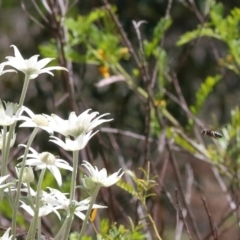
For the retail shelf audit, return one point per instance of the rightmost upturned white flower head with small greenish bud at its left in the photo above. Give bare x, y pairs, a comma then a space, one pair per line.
100, 177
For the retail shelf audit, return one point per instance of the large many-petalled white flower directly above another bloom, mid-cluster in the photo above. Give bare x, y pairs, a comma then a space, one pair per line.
77, 125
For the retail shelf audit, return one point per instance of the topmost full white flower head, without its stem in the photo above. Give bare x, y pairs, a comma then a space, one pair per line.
31, 67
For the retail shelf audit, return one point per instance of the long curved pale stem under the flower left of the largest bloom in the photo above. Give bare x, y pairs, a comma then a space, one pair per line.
15, 207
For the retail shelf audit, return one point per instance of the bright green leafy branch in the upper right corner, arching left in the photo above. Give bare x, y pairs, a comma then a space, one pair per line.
225, 29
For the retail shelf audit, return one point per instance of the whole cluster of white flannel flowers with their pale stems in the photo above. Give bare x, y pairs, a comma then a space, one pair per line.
77, 131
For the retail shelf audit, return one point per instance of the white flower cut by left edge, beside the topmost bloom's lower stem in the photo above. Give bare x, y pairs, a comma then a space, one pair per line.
7, 114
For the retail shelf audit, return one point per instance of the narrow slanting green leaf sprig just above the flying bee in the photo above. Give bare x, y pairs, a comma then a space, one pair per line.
203, 92
